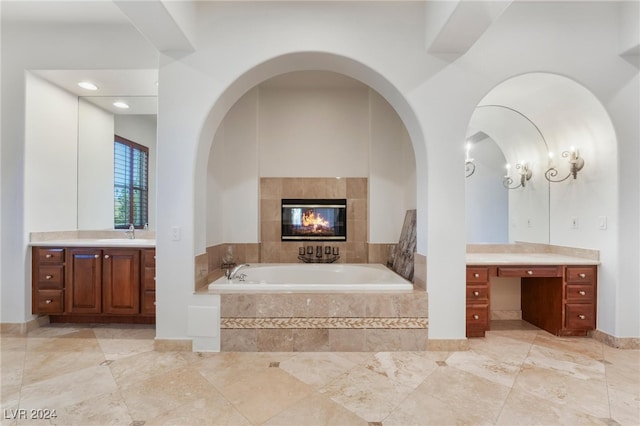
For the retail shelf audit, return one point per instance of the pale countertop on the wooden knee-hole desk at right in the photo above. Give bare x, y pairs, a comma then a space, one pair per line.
527, 259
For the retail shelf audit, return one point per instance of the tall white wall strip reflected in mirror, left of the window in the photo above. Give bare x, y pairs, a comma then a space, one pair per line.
95, 167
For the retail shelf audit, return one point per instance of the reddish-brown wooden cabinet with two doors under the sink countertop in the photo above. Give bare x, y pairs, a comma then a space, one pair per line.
94, 284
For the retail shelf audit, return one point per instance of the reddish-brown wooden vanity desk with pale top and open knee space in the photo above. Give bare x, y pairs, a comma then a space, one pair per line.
558, 292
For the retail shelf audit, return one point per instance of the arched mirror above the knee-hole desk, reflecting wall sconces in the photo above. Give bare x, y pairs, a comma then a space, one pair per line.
499, 135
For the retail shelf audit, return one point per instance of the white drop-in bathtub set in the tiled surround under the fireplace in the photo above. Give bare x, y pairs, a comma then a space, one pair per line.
304, 277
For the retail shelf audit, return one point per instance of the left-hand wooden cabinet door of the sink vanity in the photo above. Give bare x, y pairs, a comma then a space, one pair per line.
84, 281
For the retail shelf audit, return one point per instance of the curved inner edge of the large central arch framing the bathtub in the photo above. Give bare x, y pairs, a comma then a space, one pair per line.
303, 61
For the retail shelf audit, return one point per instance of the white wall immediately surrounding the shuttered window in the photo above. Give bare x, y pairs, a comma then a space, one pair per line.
141, 129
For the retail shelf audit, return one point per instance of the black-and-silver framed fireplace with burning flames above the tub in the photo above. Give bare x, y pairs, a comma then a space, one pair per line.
314, 219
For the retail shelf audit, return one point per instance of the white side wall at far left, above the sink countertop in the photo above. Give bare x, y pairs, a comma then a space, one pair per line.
51, 144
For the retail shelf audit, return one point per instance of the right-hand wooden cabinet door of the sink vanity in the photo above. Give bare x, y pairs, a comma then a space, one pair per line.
121, 281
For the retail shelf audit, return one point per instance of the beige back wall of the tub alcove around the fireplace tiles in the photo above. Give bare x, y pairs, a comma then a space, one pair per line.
308, 132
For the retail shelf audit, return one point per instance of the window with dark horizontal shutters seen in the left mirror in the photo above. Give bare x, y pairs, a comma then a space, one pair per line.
130, 183
